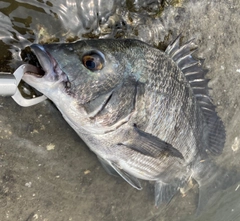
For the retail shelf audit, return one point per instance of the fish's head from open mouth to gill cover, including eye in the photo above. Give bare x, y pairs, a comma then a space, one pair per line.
90, 81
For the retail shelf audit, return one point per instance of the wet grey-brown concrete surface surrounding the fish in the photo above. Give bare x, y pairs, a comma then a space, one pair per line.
48, 173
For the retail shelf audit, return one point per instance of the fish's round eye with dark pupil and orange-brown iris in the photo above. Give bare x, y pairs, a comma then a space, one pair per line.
93, 61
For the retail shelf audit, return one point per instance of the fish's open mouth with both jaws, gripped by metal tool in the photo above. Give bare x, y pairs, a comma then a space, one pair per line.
53, 78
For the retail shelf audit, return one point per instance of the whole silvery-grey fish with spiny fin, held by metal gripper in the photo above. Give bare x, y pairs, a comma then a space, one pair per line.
146, 113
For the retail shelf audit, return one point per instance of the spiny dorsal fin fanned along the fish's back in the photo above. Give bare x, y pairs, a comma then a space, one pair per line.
195, 75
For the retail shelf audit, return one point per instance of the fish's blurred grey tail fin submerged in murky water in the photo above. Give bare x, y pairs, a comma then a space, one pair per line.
211, 180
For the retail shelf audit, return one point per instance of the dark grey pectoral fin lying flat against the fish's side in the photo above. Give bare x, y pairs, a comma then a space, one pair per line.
150, 145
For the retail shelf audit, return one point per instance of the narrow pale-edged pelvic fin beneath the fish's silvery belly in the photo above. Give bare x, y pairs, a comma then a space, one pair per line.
113, 169
